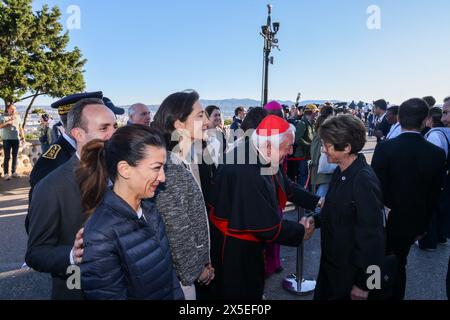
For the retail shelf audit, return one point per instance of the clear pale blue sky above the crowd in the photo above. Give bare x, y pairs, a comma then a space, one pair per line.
140, 50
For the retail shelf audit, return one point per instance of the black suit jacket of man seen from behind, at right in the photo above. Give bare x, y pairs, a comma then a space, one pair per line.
411, 171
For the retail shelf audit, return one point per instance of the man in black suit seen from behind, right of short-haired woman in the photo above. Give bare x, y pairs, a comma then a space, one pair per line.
411, 172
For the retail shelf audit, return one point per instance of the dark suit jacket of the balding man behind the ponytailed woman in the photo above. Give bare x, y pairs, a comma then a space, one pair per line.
55, 217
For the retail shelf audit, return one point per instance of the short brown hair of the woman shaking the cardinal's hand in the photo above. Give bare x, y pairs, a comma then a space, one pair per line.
342, 131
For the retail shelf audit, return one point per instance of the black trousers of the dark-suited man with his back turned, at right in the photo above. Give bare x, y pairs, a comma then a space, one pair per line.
400, 247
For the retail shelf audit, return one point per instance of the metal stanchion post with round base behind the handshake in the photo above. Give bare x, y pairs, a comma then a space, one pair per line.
295, 283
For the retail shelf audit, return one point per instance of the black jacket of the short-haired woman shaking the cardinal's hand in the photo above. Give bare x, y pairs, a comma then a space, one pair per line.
352, 234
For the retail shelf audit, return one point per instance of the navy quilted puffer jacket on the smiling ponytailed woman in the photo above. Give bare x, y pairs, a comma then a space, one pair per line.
126, 257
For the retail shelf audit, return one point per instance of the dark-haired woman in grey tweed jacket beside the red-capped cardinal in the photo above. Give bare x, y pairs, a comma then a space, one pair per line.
182, 120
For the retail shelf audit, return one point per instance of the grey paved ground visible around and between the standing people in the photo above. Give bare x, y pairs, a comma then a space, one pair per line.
426, 271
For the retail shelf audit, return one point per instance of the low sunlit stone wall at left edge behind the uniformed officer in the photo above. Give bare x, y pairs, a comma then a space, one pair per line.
28, 156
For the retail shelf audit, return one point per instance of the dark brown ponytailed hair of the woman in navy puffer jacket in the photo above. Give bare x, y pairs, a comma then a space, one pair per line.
99, 161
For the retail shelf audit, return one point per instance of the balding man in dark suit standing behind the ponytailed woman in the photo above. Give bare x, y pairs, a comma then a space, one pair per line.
55, 213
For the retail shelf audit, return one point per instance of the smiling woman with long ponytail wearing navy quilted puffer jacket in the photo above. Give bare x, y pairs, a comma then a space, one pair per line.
126, 251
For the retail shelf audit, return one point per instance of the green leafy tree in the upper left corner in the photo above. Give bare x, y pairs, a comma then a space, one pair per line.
33, 55
